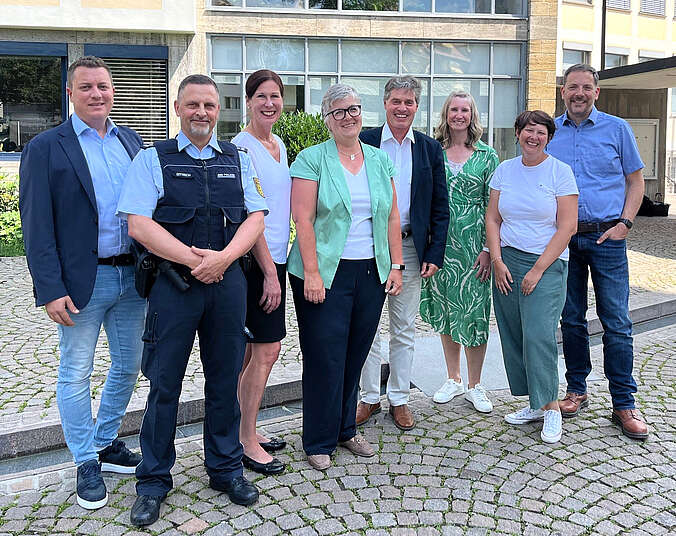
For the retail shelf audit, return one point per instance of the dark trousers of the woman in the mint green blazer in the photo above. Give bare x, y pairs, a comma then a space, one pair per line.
335, 338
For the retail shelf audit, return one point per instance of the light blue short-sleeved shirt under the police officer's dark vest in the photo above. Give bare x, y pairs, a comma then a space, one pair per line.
144, 184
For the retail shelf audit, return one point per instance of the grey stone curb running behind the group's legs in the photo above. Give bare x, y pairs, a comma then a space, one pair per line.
32, 440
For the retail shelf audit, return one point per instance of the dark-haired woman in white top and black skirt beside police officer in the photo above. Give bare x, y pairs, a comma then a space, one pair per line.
266, 278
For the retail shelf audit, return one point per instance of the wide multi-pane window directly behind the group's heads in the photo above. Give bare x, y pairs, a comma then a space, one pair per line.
491, 72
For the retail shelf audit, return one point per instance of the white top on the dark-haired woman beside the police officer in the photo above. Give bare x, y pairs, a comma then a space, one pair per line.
276, 184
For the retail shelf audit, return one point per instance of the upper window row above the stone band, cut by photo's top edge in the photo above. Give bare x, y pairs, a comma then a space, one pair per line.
499, 7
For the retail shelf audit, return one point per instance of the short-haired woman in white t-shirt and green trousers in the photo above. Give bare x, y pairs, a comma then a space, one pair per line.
531, 216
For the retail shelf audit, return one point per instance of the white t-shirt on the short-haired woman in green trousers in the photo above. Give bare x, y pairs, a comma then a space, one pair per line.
527, 201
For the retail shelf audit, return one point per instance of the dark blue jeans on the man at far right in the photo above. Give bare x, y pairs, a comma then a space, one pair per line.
609, 269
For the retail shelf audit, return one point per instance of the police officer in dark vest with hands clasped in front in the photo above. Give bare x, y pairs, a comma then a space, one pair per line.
193, 201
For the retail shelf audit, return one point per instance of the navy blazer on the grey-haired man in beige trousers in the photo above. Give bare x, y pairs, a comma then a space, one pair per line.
429, 195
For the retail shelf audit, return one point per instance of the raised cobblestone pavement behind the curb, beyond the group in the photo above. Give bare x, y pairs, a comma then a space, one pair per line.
29, 342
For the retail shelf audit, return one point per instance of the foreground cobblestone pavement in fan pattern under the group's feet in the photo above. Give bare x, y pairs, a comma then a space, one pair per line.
457, 472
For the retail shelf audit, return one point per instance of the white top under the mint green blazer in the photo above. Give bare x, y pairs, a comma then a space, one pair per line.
359, 243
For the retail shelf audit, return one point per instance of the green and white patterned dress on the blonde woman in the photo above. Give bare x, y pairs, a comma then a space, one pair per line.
453, 301
